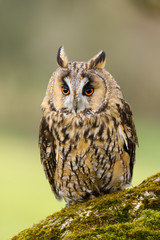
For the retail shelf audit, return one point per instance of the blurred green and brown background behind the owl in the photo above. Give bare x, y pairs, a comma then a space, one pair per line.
31, 33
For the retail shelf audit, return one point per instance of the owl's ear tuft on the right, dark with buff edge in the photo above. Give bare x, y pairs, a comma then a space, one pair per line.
98, 61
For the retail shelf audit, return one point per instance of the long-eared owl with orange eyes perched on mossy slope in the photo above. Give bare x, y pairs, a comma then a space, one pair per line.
87, 135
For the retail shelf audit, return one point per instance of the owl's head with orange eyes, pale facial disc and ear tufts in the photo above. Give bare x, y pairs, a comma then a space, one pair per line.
77, 87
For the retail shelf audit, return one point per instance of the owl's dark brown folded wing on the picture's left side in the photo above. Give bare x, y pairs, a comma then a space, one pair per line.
47, 153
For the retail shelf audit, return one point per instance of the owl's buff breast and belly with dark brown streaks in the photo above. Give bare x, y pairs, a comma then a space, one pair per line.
90, 160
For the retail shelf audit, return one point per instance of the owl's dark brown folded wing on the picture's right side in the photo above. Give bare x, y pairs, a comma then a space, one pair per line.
127, 127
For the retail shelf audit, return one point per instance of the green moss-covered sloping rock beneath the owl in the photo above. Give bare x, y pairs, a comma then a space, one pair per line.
130, 214
